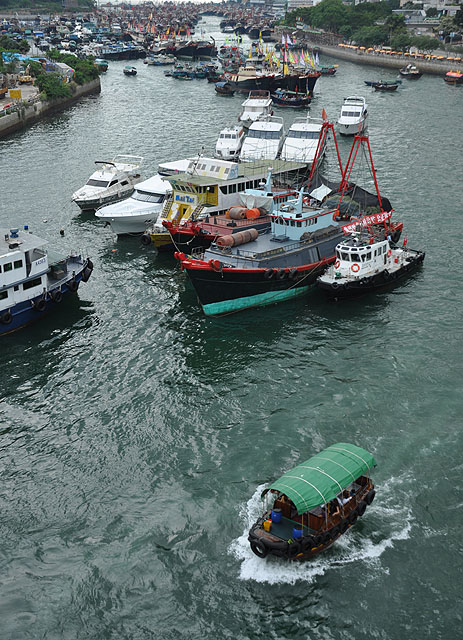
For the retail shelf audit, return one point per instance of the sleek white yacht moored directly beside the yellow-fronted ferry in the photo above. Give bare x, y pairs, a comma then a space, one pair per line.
139, 210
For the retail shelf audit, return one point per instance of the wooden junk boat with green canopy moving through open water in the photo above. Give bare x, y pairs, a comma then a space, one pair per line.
311, 506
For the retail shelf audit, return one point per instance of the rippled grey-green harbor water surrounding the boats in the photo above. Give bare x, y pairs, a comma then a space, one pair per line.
136, 434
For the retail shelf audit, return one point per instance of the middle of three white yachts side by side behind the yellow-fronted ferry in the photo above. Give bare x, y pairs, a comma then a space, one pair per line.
264, 140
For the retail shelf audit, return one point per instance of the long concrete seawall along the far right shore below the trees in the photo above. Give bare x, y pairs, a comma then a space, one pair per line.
434, 67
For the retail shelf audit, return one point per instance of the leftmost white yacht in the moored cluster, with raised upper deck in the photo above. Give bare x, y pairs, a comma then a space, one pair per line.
113, 181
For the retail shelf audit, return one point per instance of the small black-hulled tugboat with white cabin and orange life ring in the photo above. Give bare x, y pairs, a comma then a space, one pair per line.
366, 262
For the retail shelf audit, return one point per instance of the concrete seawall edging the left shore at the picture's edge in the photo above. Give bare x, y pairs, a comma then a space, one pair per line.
27, 115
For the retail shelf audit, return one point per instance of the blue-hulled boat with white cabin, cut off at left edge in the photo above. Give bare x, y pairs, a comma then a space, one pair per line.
32, 282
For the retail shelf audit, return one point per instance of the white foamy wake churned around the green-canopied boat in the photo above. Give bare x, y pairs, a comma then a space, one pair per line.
353, 547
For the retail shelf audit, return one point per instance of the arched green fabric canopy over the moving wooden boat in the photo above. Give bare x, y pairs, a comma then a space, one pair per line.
319, 479
